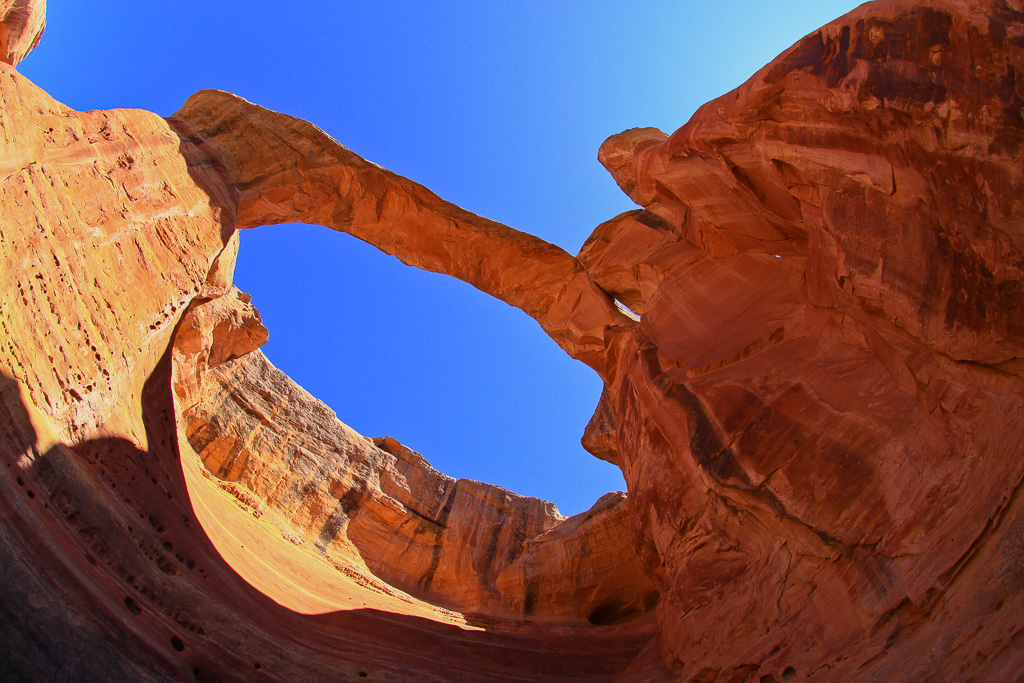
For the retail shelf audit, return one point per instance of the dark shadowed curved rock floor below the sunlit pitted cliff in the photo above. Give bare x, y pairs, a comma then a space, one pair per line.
109, 576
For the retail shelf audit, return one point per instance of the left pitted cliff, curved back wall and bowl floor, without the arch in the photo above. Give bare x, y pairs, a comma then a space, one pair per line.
124, 557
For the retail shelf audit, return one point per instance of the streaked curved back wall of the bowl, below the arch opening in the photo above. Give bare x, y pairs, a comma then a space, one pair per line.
379, 507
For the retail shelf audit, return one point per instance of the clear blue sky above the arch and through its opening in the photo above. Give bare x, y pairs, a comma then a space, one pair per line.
499, 107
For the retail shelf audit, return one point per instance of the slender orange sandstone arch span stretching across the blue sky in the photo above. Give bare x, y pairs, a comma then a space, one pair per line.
278, 169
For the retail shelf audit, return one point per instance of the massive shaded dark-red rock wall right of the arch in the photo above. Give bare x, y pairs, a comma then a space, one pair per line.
820, 415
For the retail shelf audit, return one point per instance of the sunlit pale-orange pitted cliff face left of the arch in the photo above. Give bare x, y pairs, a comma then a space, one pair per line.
107, 239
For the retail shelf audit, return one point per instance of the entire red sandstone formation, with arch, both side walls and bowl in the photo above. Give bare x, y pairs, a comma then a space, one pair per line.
818, 404
